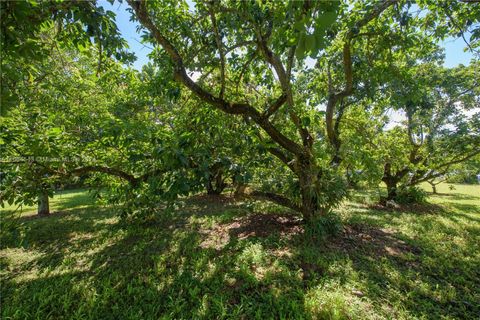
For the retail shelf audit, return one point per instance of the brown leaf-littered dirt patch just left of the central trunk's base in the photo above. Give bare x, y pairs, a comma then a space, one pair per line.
255, 225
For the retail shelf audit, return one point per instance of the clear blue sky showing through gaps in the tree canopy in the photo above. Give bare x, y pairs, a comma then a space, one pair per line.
454, 48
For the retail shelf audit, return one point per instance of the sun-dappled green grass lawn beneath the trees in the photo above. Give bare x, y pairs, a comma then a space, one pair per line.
217, 258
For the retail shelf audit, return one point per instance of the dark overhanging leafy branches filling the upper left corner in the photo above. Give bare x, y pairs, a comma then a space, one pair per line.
30, 29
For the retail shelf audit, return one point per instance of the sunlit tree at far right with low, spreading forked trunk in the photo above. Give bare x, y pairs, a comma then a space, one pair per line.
437, 134
